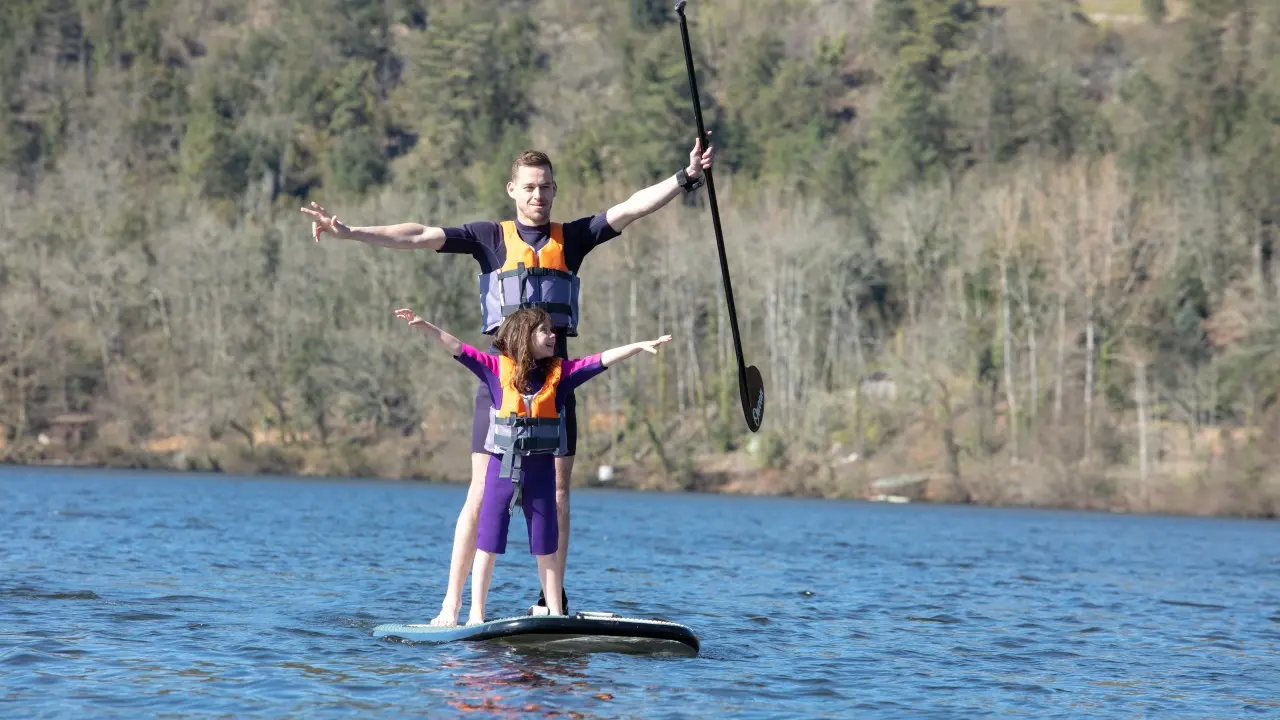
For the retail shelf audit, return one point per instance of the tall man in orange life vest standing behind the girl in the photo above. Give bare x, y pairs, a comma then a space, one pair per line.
506, 253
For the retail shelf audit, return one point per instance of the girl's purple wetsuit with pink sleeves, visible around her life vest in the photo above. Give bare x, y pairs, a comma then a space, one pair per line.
538, 496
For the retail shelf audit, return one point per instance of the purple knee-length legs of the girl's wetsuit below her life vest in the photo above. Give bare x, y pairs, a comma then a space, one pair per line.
538, 502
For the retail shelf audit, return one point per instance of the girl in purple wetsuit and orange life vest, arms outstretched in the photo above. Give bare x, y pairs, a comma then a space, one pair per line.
527, 431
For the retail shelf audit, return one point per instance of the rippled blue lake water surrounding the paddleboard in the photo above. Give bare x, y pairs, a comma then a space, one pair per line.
154, 595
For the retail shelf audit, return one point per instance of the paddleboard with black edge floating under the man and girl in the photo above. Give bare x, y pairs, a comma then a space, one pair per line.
587, 631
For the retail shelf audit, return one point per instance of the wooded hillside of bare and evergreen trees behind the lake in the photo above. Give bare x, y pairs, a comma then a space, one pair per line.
1025, 250
